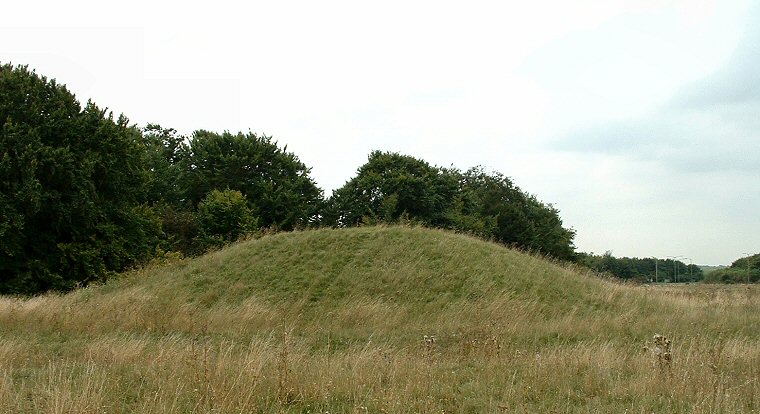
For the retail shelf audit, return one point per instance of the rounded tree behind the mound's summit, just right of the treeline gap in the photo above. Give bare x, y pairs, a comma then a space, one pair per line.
389, 186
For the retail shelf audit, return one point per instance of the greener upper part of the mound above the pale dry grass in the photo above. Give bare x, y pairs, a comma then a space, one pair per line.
402, 265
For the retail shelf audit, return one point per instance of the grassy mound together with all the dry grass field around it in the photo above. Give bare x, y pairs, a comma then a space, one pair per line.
379, 319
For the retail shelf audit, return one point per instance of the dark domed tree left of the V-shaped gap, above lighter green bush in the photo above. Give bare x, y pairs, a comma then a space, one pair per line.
275, 182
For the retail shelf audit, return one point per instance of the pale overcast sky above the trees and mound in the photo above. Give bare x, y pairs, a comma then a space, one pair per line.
639, 120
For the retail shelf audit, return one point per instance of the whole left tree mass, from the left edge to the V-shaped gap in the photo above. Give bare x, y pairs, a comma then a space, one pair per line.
83, 195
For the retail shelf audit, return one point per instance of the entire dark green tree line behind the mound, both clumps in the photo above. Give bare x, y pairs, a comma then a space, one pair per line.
84, 195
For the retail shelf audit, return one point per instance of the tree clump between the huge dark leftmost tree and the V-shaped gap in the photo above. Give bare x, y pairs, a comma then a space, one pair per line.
189, 175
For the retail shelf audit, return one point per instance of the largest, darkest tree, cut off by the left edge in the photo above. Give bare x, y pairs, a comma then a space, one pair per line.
72, 184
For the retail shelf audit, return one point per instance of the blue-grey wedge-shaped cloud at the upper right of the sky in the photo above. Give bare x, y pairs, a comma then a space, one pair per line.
709, 125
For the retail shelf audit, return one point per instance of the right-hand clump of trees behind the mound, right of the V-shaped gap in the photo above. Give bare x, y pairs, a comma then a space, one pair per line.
391, 186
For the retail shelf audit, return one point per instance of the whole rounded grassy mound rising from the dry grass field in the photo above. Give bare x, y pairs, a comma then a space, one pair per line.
361, 281
